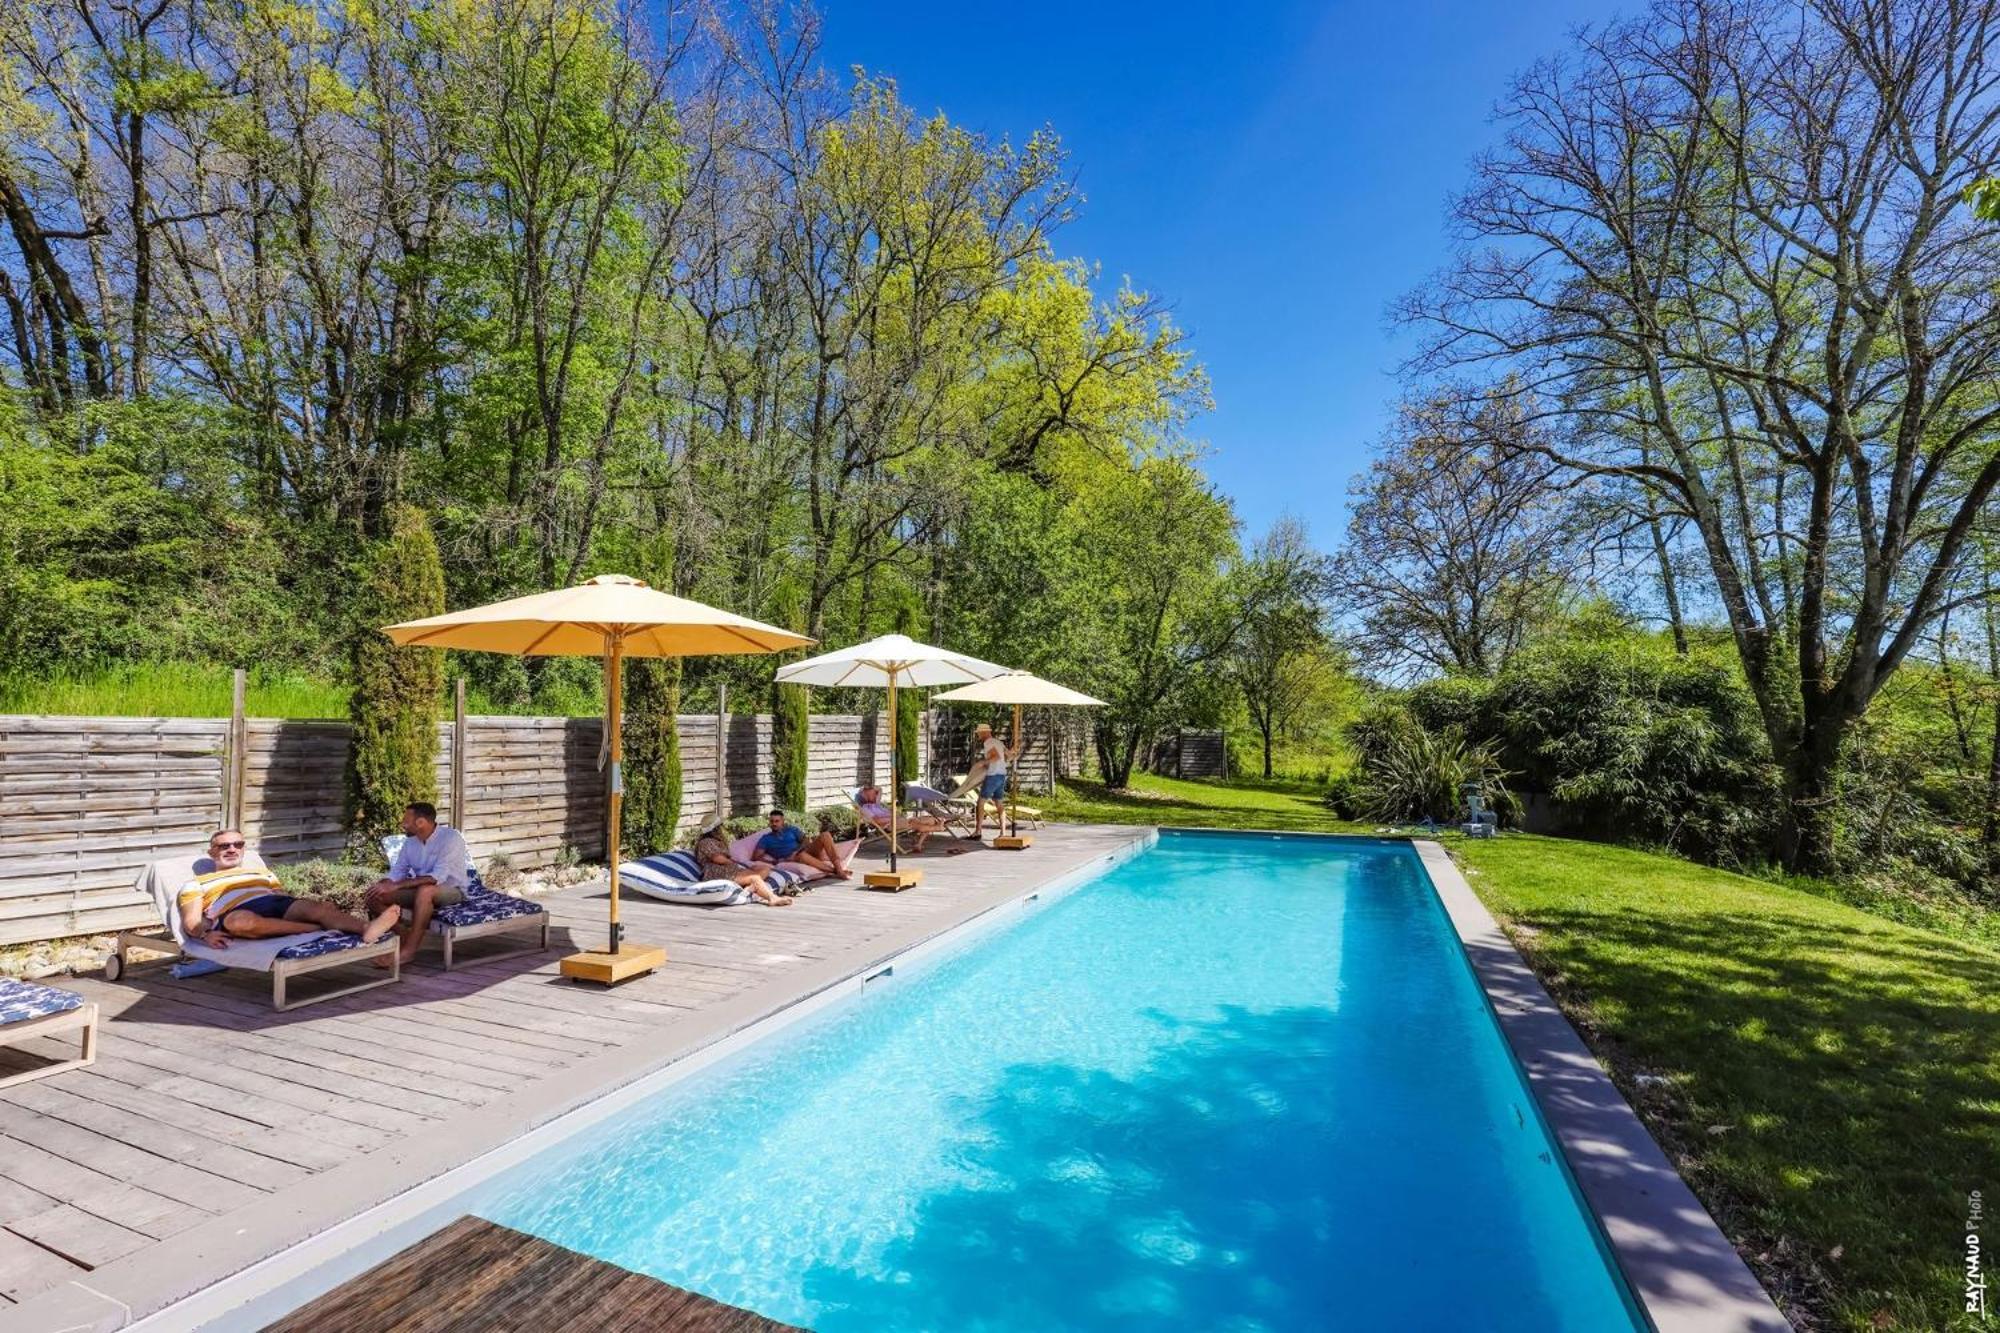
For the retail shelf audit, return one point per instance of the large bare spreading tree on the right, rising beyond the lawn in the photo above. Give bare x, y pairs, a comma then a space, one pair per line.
1735, 231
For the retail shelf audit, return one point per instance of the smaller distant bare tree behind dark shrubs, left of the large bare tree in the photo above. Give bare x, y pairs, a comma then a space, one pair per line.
1461, 541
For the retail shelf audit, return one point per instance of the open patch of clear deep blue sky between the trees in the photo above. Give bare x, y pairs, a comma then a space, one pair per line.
1277, 171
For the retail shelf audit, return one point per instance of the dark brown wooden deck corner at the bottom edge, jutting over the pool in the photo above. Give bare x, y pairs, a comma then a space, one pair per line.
483, 1276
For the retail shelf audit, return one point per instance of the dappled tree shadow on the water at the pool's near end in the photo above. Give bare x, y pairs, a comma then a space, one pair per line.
1229, 1186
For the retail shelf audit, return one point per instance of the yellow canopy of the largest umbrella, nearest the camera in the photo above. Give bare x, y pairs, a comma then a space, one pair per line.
583, 619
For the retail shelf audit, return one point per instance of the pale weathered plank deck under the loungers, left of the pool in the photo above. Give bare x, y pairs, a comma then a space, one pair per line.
215, 1132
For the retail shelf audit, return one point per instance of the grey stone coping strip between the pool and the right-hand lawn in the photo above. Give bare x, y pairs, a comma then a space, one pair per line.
1683, 1272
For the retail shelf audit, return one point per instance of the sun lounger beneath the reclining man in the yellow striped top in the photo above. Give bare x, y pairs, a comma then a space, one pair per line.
285, 958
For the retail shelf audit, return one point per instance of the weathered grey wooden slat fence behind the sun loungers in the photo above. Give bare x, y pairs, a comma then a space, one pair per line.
89, 802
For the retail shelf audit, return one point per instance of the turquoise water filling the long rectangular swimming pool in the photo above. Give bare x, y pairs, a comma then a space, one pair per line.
1237, 1084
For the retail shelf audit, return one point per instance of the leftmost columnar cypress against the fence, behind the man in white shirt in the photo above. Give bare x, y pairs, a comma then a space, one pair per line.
393, 758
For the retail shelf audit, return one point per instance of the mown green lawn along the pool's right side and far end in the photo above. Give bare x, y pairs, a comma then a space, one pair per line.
1829, 1082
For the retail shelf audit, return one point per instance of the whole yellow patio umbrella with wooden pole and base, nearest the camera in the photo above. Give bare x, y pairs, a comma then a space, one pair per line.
613, 617
